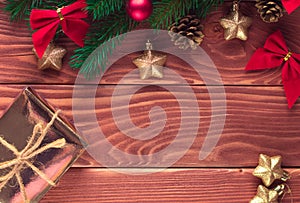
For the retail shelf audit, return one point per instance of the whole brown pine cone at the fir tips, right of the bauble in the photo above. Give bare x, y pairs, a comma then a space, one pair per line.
187, 32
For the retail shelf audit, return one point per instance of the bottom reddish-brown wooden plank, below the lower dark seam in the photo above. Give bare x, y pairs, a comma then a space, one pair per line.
172, 185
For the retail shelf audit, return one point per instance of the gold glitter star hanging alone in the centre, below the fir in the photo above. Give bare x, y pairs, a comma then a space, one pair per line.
150, 64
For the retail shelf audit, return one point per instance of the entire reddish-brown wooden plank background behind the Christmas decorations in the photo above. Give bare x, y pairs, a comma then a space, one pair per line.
257, 121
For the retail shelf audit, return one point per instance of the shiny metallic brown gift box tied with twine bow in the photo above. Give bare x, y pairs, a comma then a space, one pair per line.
37, 146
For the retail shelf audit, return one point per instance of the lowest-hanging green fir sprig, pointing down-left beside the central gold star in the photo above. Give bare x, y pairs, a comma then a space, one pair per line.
99, 33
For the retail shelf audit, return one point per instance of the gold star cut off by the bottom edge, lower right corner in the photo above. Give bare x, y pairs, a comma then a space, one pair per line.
264, 195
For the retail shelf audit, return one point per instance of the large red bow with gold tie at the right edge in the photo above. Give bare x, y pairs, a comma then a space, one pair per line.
275, 53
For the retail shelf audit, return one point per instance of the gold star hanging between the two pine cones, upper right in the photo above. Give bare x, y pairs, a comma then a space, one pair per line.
235, 24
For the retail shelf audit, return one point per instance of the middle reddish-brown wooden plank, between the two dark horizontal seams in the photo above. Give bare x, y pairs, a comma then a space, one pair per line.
257, 121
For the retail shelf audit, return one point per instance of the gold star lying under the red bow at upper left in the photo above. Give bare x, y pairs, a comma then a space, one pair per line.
52, 57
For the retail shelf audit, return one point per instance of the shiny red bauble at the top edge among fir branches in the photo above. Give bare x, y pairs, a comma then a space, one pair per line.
139, 10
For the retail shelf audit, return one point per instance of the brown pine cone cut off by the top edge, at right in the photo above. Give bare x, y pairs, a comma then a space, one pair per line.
270, 10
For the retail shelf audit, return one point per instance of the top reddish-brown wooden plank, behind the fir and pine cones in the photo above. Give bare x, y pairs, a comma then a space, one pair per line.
18, 64
